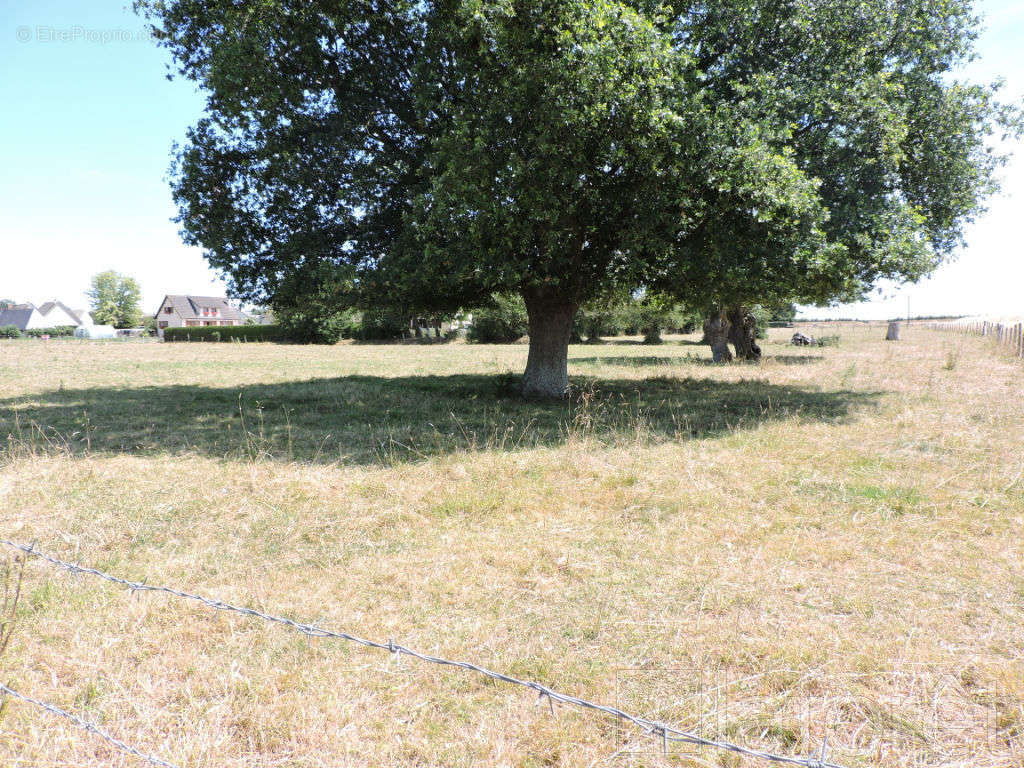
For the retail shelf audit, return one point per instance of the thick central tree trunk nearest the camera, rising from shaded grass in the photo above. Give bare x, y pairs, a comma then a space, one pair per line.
550, 329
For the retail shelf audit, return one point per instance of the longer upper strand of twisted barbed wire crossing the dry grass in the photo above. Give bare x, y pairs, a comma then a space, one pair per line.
666, 733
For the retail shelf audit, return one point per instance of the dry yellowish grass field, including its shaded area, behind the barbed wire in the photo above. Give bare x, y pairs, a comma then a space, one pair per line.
831, 541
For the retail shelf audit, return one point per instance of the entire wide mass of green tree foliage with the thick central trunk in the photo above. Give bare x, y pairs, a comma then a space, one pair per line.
432, 154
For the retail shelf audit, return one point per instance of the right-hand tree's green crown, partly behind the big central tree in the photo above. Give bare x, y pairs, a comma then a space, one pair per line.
862, 97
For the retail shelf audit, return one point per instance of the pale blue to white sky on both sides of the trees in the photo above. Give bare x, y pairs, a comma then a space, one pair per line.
90, 119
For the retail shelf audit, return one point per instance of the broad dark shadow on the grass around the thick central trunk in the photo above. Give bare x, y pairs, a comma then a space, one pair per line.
370, 419
